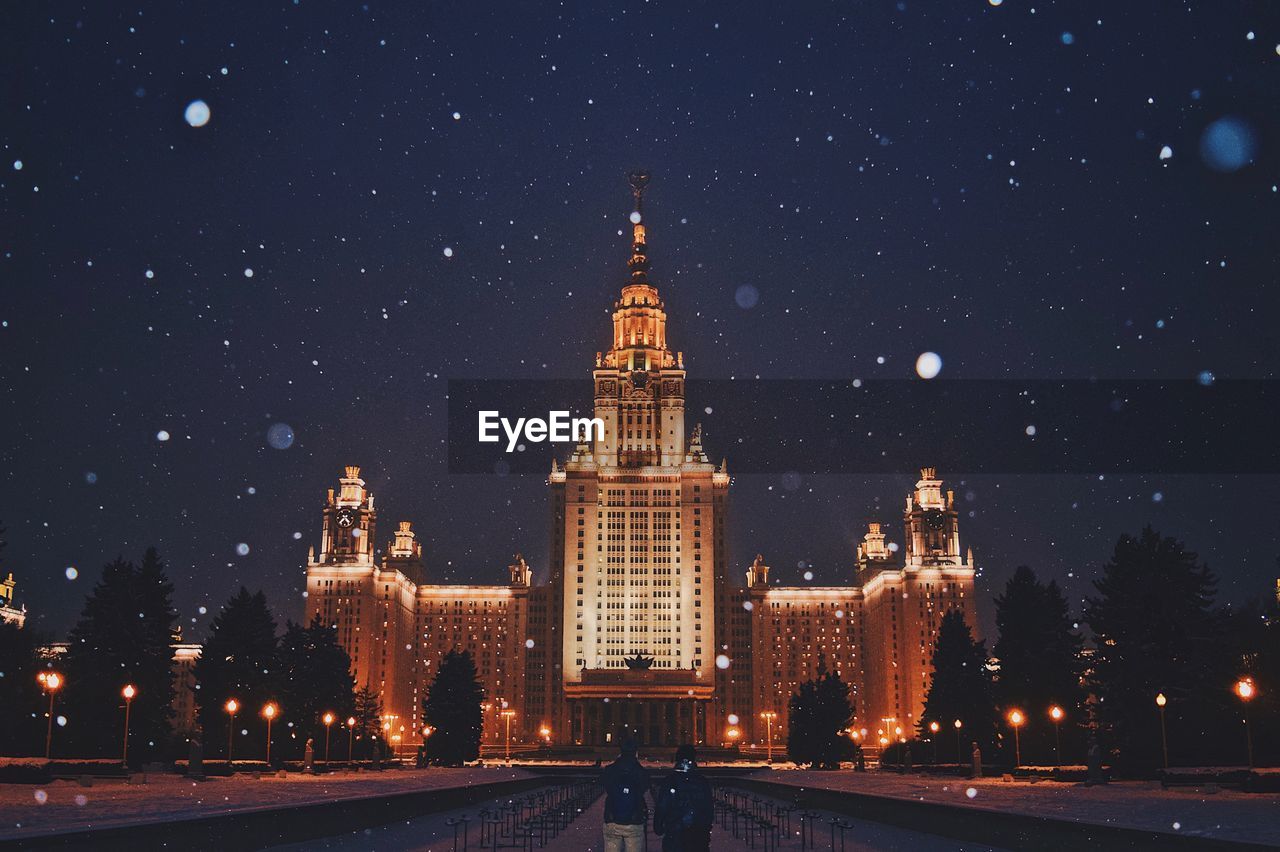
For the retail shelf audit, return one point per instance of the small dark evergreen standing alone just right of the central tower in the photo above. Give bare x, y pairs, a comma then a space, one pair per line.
820, 713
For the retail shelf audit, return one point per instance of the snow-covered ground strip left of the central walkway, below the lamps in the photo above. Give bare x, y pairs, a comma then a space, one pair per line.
62, 807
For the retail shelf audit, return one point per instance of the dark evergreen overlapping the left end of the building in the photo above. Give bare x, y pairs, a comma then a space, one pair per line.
316, 679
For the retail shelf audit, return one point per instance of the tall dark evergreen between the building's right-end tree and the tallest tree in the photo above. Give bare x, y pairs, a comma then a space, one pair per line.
1040, 665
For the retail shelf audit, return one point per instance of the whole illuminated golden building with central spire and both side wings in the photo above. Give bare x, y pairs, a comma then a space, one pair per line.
642, 629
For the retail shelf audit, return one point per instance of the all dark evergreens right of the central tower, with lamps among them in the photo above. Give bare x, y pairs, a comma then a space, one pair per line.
1153, 627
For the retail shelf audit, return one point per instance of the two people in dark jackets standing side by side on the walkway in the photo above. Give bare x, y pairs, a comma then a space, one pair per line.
683, 808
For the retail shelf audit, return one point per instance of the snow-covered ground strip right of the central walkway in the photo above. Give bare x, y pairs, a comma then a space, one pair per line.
1204, 812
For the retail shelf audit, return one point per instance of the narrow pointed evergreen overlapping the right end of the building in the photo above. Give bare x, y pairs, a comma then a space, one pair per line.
961, 689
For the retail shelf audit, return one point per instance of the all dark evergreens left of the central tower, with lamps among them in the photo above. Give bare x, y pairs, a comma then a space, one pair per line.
125, 636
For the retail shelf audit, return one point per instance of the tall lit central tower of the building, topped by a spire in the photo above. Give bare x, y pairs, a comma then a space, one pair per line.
639, 537
